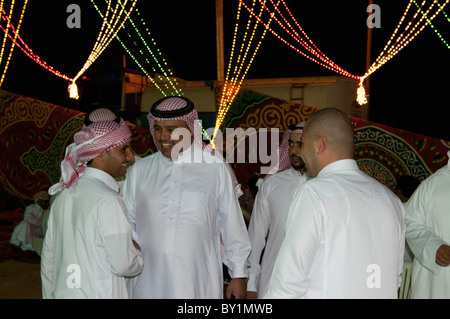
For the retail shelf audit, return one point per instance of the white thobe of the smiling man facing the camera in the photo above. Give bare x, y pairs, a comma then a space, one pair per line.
179, 210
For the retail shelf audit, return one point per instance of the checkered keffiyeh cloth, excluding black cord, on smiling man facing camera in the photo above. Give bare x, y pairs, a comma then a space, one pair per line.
191, 119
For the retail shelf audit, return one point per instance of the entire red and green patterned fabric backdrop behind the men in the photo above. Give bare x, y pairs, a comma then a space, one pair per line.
34, 135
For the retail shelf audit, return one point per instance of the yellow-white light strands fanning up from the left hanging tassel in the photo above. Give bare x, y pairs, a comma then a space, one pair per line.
103, 40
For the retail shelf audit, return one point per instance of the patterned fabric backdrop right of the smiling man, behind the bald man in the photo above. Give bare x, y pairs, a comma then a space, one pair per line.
383, 152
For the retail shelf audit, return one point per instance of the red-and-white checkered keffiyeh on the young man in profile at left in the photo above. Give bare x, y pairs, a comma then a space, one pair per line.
102, 135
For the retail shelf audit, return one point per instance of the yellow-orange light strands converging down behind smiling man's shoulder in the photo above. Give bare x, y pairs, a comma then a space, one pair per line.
231, 87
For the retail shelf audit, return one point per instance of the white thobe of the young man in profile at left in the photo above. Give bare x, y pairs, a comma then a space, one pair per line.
87, 248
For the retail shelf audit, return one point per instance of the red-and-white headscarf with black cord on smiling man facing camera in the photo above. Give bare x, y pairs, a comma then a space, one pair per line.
180, 108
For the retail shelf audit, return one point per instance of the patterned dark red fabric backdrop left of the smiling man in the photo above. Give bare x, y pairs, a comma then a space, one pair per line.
33, 138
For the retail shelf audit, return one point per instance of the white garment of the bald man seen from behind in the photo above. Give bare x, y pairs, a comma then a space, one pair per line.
345, 237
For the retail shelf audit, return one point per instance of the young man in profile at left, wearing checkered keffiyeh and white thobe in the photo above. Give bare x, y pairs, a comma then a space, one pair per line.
88, 249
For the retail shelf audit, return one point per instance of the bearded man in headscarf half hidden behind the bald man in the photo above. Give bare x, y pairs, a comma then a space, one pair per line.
268, 219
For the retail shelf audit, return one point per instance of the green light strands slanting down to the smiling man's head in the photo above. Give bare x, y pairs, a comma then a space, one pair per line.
173, 82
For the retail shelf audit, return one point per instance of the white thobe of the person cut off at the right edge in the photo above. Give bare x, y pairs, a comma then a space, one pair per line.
427, 228
